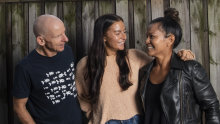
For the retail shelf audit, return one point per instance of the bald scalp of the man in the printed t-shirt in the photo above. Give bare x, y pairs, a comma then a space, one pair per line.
43, 23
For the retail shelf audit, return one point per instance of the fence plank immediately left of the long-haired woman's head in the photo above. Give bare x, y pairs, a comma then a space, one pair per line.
88, 19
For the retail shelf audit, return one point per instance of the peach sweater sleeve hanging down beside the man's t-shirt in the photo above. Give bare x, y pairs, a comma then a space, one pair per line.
82, 86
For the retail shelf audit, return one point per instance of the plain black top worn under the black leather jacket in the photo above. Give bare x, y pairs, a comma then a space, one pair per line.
154, 113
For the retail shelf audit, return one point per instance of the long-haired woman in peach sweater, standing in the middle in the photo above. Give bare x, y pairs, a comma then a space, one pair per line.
107, 79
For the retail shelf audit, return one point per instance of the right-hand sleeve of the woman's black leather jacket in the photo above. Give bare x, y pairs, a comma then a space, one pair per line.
206, 95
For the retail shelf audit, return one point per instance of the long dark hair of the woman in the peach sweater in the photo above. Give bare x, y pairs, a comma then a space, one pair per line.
97, 59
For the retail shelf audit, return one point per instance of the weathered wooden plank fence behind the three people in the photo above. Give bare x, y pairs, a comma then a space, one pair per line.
200, 20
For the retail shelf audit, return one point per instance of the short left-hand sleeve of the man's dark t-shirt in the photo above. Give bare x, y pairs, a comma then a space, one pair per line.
21, 84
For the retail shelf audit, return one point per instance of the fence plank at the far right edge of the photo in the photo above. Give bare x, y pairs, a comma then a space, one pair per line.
214, 43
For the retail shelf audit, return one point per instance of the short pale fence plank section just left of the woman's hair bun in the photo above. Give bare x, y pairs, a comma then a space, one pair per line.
157, 8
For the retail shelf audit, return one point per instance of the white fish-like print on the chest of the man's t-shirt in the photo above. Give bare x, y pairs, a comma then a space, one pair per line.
60, 85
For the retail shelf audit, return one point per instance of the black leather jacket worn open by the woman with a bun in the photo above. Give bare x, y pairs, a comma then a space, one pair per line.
186, 92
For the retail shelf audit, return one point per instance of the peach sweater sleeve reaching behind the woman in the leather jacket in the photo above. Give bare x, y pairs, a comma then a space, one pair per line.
140, 57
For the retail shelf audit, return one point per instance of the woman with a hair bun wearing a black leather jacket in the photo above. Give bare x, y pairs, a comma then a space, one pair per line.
174, 91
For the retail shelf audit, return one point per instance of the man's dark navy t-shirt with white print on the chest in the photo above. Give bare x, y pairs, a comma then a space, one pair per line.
49, 85
